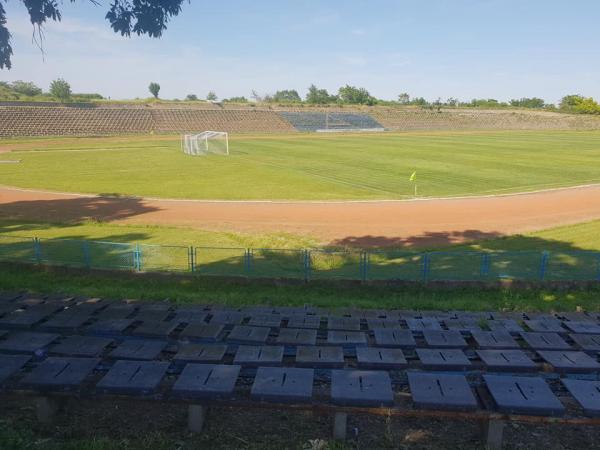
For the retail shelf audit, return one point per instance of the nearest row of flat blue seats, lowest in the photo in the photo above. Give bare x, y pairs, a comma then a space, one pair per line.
439, 391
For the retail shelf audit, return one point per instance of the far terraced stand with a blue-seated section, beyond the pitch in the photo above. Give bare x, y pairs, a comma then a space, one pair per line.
90, 119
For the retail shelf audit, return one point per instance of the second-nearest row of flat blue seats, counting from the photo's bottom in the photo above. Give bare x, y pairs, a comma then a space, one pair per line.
300, 355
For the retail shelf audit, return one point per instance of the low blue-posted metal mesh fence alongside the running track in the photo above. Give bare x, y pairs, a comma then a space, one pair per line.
307, 264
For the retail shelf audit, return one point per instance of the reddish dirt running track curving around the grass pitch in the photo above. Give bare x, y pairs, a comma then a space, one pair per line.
391, 223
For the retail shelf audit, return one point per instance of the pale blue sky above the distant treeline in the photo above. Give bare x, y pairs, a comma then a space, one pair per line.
432, 48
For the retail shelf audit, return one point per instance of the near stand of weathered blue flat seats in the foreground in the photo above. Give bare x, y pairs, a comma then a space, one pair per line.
203, 356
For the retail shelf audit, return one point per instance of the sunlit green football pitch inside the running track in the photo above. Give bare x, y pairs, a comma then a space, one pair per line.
309, 167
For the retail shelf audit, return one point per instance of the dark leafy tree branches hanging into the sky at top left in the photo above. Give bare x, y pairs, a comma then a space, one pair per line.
142, 17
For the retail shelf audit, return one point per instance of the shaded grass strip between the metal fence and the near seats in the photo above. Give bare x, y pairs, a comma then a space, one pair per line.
235, 293
